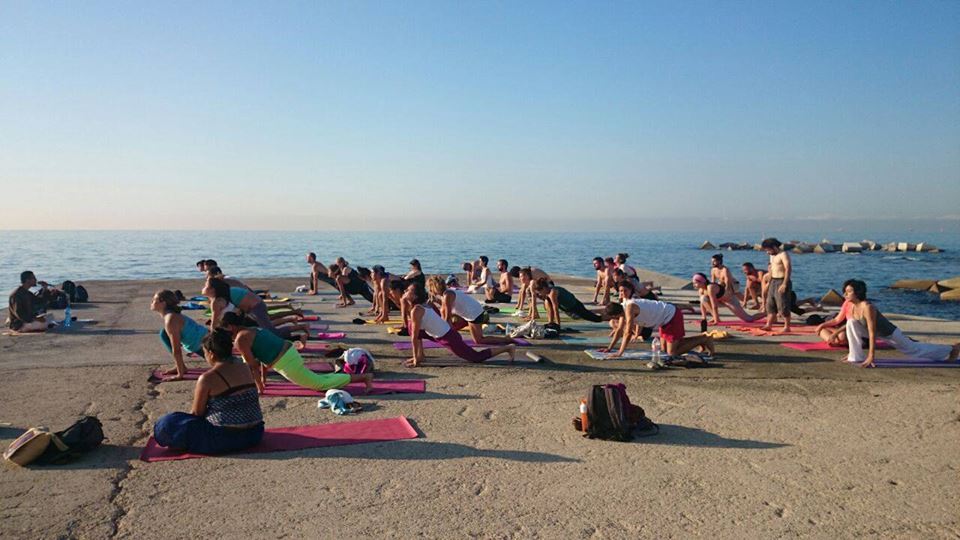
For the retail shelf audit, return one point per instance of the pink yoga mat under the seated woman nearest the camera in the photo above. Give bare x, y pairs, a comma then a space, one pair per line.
302, 437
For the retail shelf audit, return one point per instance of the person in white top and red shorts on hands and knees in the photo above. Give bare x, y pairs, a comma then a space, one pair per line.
652, 313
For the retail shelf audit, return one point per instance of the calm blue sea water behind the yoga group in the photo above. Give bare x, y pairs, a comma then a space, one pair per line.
84, 255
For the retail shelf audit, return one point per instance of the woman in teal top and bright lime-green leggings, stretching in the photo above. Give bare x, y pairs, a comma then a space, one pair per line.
262, 350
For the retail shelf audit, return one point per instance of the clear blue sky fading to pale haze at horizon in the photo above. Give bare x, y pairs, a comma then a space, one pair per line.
480, 115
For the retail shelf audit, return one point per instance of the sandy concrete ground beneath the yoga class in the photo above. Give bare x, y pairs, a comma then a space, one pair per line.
769, 443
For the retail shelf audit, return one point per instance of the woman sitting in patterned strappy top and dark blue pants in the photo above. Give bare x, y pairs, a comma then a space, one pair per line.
226, 415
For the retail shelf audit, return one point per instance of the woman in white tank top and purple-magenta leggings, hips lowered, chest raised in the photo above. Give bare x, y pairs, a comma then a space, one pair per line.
426, 323
